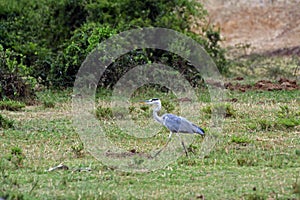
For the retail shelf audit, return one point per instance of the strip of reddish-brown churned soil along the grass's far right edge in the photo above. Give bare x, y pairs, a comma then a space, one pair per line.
264, 85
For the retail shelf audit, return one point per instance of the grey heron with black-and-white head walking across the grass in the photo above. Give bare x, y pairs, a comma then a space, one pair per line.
175, 124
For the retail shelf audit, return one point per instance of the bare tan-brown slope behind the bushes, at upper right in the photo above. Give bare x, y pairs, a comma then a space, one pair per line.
269, 27
